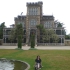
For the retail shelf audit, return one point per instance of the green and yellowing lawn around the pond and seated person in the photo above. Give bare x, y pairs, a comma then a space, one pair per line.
51, 59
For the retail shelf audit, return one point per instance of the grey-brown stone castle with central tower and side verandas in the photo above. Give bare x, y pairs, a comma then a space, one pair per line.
29, 21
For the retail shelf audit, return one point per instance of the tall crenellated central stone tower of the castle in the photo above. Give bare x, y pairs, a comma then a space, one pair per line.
33, 17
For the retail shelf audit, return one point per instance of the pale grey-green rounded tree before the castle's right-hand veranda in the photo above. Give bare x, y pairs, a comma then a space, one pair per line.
50, 35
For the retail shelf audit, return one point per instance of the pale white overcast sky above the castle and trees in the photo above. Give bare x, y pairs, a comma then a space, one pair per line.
60, 9
